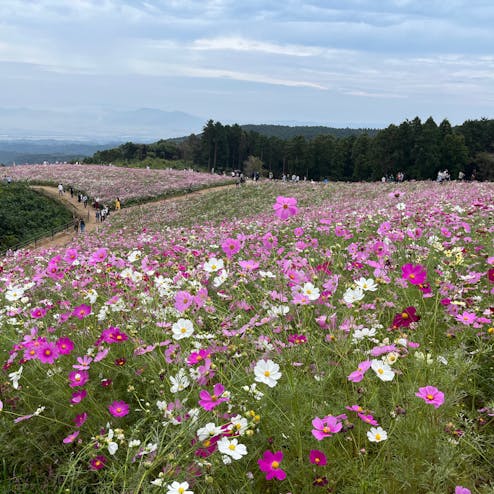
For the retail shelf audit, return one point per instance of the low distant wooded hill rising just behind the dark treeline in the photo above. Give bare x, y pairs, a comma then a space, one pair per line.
307, 131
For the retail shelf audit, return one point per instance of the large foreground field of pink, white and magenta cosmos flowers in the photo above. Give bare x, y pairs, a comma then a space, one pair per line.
278, 338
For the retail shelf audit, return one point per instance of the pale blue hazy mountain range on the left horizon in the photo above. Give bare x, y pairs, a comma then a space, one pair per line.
144, 124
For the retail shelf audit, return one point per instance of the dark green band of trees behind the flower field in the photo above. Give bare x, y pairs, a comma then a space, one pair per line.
417, 149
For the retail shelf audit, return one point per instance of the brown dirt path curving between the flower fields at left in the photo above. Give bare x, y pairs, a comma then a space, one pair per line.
65, 237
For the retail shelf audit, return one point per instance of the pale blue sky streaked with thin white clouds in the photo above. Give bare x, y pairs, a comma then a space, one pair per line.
351, 63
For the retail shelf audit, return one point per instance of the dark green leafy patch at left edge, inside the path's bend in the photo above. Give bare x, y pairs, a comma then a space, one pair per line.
25, 214
